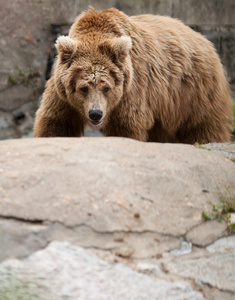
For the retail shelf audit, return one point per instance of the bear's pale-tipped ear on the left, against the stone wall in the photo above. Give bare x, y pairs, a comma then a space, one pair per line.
65, 47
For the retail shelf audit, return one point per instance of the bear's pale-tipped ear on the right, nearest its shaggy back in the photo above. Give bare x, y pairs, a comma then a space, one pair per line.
117, 48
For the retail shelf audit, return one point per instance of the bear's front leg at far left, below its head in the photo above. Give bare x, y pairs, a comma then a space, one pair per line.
57, 118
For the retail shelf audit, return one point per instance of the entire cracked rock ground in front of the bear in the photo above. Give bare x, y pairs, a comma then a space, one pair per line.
134, 203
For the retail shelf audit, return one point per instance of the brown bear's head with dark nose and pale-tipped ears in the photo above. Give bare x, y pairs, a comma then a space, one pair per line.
93, 75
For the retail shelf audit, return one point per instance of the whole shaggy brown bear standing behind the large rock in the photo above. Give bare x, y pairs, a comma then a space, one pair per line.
150, 78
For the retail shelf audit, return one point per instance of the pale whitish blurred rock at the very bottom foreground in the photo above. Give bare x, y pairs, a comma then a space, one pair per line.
63, 271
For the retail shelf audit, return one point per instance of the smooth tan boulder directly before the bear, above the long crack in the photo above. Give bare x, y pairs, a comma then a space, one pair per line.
123, 187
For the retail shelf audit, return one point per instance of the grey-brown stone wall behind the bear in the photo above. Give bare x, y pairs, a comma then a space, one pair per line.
28, 29
